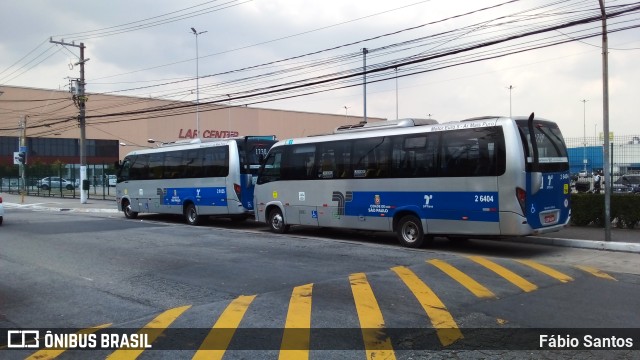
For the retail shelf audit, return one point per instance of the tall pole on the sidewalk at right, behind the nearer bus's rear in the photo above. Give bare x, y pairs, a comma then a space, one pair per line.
605, 125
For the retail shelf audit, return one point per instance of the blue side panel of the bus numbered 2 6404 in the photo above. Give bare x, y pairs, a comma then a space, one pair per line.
443, 205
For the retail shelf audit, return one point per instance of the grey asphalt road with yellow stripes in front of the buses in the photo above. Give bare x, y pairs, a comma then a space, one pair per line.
352, 294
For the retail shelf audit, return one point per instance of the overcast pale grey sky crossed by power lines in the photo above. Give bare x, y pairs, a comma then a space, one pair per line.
133, 46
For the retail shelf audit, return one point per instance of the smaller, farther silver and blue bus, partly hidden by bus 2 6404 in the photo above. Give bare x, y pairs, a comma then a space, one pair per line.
214, 177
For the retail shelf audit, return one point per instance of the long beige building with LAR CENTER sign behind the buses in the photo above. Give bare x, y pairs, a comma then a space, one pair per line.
131, 121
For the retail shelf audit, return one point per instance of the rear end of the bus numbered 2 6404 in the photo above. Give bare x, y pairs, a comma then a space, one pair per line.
548, 187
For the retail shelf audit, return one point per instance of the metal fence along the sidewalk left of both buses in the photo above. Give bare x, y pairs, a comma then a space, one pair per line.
60, 180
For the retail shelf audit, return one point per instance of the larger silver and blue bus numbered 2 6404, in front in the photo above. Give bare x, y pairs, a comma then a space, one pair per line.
482, 177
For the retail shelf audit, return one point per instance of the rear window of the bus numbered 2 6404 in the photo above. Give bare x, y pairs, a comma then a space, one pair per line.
552, 151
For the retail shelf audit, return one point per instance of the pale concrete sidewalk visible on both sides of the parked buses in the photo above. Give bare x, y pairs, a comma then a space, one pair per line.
626, 240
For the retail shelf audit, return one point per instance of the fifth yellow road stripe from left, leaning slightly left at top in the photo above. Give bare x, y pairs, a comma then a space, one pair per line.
377, 343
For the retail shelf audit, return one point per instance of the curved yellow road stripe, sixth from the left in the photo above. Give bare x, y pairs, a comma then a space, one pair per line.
446, 327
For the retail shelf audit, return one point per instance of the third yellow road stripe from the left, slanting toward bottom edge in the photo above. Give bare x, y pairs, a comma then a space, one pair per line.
218, 339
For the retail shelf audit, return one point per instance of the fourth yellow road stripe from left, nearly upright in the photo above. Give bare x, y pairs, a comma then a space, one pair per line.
297, 328
